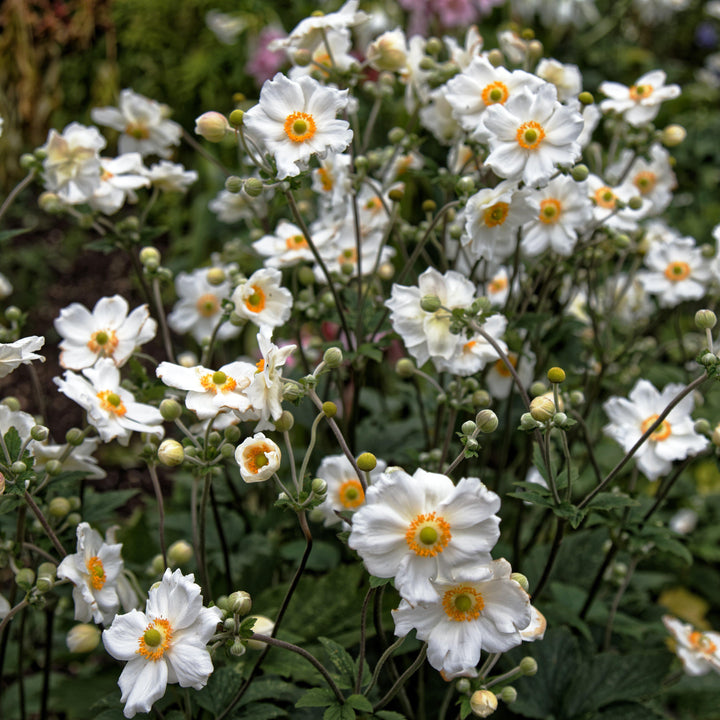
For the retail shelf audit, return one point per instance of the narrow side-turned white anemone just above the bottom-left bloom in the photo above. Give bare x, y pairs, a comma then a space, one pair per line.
94, 571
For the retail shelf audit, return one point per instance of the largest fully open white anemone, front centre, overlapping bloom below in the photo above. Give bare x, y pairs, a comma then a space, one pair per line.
421, 527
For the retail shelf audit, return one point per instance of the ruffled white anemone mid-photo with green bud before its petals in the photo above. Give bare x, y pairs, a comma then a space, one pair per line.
425, 334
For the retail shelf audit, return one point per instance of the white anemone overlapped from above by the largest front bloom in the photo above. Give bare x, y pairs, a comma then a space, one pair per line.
483, 609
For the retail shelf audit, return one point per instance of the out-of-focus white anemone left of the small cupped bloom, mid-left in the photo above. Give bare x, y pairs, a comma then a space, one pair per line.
199, 307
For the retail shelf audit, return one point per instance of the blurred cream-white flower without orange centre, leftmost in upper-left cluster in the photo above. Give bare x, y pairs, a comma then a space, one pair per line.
72, 164
